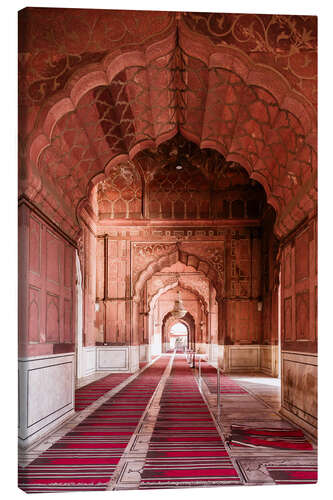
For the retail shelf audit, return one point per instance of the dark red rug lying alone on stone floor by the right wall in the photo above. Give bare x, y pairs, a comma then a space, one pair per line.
285, 439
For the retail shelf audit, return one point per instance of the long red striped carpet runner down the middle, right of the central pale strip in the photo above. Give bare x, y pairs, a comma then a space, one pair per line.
185, 448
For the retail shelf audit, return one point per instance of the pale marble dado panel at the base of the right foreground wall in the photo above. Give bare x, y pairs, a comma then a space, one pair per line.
299, 389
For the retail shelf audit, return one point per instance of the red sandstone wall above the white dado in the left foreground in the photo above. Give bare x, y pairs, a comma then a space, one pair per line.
46, 287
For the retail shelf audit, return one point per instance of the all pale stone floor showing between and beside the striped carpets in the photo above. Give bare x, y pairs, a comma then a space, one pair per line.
258, 407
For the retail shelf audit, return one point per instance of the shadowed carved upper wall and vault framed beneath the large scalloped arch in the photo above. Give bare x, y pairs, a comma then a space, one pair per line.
178, 180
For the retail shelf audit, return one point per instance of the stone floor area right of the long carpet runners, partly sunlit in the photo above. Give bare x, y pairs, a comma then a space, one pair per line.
259, 408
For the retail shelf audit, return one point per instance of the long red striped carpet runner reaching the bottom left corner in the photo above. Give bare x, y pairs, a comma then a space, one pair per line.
86, 457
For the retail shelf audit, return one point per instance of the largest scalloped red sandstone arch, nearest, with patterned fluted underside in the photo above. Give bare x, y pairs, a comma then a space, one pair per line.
244, 110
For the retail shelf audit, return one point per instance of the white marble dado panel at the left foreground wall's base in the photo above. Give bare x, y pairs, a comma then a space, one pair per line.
46, 395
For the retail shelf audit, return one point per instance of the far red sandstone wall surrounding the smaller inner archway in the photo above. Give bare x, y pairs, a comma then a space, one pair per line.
236, 259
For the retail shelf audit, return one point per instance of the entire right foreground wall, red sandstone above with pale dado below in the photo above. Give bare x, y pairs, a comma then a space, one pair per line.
299, 326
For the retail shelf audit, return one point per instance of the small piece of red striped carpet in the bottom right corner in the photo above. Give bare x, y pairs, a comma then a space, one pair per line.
293, 474
